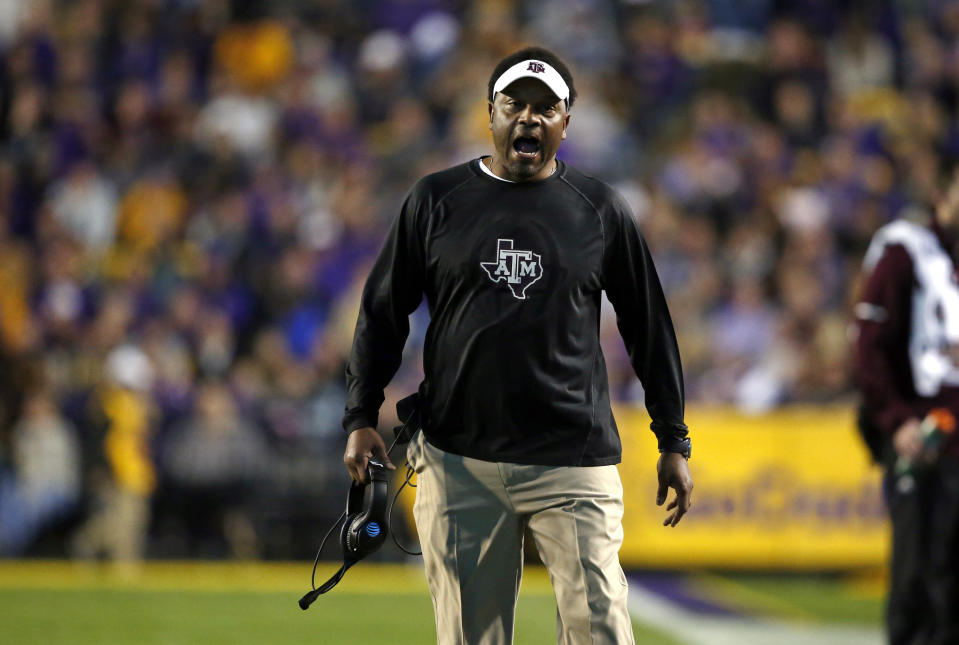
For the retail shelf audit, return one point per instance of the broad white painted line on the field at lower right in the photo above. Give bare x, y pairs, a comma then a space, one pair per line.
695, 629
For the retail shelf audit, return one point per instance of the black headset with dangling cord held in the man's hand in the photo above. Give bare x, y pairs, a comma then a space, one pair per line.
368, 513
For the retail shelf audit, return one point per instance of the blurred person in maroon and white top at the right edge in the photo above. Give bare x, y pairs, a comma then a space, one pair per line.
908, 373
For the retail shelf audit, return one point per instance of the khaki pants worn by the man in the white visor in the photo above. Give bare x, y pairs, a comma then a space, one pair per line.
471, 516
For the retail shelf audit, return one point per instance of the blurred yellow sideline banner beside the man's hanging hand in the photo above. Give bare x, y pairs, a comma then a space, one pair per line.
793, 489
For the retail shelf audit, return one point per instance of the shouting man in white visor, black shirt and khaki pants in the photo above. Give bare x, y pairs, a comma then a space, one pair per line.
512, 252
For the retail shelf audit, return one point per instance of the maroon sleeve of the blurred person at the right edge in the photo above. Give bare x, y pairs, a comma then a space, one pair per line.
883, 316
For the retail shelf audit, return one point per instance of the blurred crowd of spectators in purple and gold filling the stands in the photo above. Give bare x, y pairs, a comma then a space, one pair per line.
191, 192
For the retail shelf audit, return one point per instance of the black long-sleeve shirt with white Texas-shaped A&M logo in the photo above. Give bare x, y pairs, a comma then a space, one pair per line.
513, 274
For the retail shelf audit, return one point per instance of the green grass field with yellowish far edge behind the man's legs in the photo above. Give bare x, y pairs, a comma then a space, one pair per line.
239, 604
